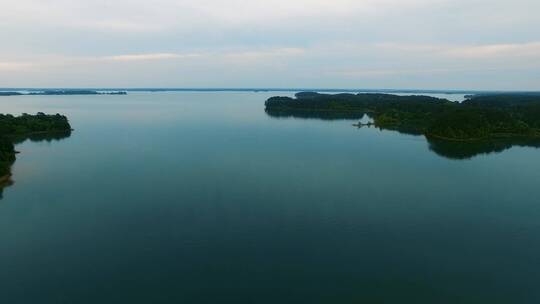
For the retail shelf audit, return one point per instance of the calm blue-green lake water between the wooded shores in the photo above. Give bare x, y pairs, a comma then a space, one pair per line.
190, 197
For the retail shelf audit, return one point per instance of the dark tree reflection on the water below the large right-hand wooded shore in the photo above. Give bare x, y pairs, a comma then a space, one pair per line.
449, 149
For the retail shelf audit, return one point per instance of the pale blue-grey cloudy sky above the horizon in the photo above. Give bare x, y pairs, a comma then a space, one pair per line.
399, 44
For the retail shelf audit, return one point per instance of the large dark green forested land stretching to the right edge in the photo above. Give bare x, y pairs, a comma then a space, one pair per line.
478, 118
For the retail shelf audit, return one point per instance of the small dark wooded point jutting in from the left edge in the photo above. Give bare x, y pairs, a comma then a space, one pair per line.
14, 129
